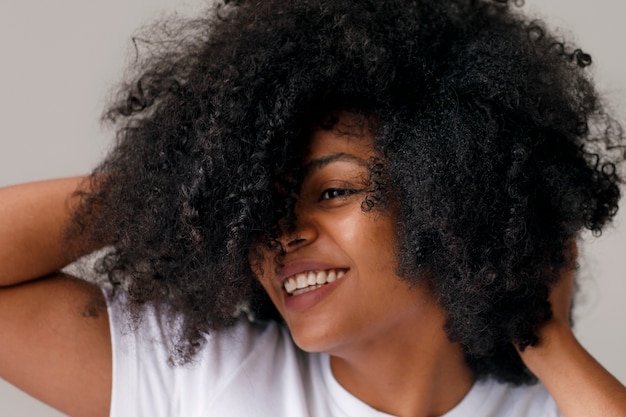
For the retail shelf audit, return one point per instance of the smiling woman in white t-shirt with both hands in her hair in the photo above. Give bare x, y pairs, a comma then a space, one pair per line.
390, 192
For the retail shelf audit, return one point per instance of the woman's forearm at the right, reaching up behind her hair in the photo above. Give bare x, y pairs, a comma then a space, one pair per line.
577, 382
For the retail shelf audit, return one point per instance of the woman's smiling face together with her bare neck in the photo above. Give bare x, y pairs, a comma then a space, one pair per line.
365, 312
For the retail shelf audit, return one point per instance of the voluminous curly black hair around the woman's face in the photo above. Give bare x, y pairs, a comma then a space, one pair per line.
492, 140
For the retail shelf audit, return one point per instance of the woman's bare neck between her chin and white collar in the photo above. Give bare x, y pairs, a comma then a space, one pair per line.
421, 374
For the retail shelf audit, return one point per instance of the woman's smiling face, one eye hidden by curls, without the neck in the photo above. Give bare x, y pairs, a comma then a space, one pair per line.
338, 288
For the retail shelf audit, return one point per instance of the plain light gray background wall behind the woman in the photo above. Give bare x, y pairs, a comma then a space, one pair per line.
59, 60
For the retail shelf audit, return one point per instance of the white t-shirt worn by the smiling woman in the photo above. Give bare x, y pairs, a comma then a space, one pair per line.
256, 370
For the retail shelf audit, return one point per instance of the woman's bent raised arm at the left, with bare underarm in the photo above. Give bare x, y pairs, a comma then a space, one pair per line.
55, 342
